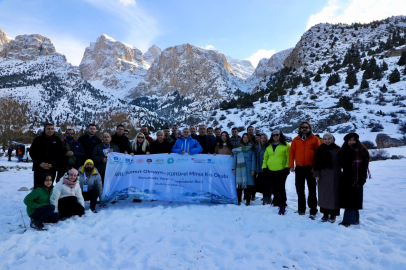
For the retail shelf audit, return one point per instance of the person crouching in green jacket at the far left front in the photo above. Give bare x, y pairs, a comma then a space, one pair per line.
39, 207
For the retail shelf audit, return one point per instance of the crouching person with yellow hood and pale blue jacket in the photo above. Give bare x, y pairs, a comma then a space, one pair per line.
90, 184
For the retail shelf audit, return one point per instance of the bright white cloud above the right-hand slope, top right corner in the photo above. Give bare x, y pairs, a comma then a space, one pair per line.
363, 11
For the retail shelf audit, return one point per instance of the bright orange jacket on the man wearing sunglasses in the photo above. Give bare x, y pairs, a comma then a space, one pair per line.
302, 151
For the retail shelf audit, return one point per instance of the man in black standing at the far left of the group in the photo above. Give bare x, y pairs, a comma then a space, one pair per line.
46, 152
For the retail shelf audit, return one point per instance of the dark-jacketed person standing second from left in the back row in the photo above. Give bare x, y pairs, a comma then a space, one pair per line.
72, 152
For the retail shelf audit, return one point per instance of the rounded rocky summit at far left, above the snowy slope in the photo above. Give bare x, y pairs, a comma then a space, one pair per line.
27, 47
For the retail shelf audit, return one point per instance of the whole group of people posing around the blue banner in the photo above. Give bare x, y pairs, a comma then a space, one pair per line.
260, 164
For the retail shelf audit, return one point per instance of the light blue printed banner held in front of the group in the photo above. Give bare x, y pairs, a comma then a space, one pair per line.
170, 177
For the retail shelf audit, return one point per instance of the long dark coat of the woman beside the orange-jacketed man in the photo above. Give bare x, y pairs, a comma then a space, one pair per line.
329, 178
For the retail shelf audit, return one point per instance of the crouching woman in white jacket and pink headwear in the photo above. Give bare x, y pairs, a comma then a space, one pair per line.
67, 196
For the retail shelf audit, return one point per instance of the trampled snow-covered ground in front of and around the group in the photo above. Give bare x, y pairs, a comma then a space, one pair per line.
162, 235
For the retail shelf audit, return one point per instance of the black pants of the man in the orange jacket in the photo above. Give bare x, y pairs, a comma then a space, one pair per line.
303, 174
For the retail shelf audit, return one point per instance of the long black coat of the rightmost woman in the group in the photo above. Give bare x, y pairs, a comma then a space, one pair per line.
350, 195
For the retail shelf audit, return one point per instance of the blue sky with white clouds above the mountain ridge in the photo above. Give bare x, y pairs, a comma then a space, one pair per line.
249, 30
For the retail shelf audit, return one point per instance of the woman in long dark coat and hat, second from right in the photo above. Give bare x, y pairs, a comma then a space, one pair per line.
327, 172
